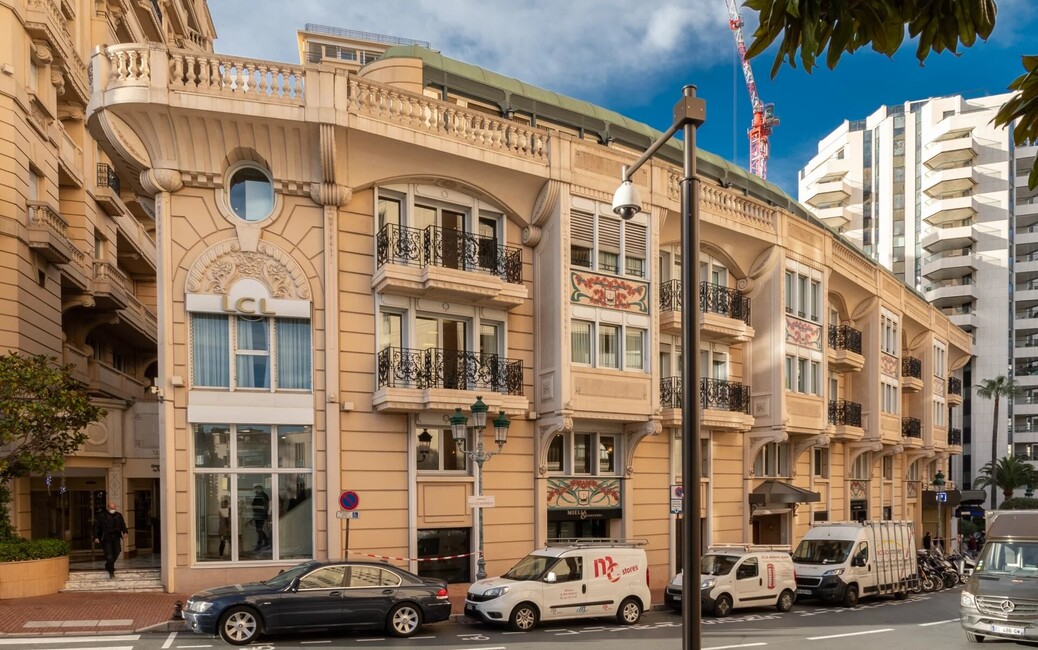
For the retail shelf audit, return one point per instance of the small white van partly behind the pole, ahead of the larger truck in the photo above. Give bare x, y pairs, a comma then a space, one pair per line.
746, 576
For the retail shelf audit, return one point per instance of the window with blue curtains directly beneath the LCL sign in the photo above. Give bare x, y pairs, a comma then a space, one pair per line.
249, 353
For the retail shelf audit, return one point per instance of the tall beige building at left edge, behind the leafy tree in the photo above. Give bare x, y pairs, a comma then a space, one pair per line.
78, 262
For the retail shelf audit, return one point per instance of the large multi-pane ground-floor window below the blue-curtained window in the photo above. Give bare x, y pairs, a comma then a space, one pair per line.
253, 493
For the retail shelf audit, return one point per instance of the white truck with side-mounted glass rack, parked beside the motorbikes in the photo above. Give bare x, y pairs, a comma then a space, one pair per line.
844, 561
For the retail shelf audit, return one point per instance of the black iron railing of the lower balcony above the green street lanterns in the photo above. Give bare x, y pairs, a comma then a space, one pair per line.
436, 368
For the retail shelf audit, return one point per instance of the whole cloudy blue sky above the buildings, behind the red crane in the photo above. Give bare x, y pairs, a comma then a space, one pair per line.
634, 58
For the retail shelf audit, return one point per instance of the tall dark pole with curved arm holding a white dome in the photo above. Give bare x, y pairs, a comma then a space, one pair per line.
689, 115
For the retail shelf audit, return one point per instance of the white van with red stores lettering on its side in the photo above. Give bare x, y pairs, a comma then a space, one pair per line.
567, 580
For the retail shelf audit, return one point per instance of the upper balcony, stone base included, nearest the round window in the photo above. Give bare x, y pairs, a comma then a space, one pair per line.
446, 264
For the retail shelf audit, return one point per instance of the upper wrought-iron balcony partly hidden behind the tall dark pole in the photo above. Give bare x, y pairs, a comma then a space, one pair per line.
725, 312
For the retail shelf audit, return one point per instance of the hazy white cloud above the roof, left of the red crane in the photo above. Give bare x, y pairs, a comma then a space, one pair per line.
576, 48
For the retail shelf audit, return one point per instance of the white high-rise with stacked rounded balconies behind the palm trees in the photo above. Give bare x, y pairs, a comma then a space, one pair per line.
936, 193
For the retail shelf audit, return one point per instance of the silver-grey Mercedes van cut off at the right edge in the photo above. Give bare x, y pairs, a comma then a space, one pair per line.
1001, 599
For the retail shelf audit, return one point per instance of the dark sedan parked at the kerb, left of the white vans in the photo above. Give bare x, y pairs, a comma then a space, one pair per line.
321, 597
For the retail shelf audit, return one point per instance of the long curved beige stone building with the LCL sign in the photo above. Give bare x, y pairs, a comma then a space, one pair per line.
354, 248
